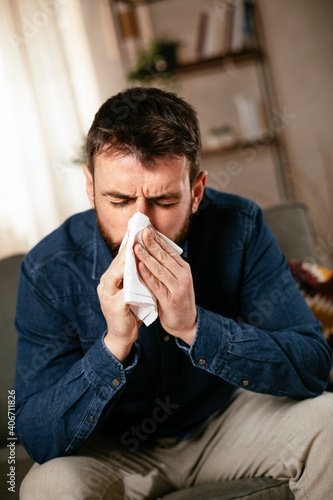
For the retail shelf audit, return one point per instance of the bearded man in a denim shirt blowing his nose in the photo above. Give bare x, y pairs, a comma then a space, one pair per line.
113, 409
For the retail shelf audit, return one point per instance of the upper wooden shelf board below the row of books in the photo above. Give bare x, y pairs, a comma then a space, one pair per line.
218, 61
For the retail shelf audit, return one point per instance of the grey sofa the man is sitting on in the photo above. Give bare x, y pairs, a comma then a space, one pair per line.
291, 224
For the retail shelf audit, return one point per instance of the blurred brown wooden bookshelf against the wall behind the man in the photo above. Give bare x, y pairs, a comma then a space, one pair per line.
200, 66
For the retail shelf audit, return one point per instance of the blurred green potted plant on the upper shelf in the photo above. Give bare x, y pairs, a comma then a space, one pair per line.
158, 60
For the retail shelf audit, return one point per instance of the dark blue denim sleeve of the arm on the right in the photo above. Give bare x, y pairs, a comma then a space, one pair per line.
276, 345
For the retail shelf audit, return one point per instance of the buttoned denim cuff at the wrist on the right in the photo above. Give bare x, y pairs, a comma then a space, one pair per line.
209, 349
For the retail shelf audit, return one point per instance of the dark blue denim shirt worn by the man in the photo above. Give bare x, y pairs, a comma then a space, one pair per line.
254, 330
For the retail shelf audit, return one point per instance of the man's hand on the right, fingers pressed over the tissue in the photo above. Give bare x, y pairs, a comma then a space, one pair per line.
169, 278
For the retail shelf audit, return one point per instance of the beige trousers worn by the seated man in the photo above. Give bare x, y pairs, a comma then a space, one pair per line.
257, 435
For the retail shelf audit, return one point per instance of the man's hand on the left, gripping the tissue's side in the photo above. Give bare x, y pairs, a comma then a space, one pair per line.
122, 325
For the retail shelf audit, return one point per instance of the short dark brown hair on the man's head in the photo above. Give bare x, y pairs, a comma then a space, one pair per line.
148, 123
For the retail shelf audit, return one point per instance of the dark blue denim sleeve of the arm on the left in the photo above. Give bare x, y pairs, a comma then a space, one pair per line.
60, 392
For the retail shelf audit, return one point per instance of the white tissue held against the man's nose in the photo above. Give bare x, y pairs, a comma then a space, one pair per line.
140, 298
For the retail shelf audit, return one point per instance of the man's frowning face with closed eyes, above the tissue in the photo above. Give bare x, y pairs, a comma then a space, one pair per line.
122, 187
